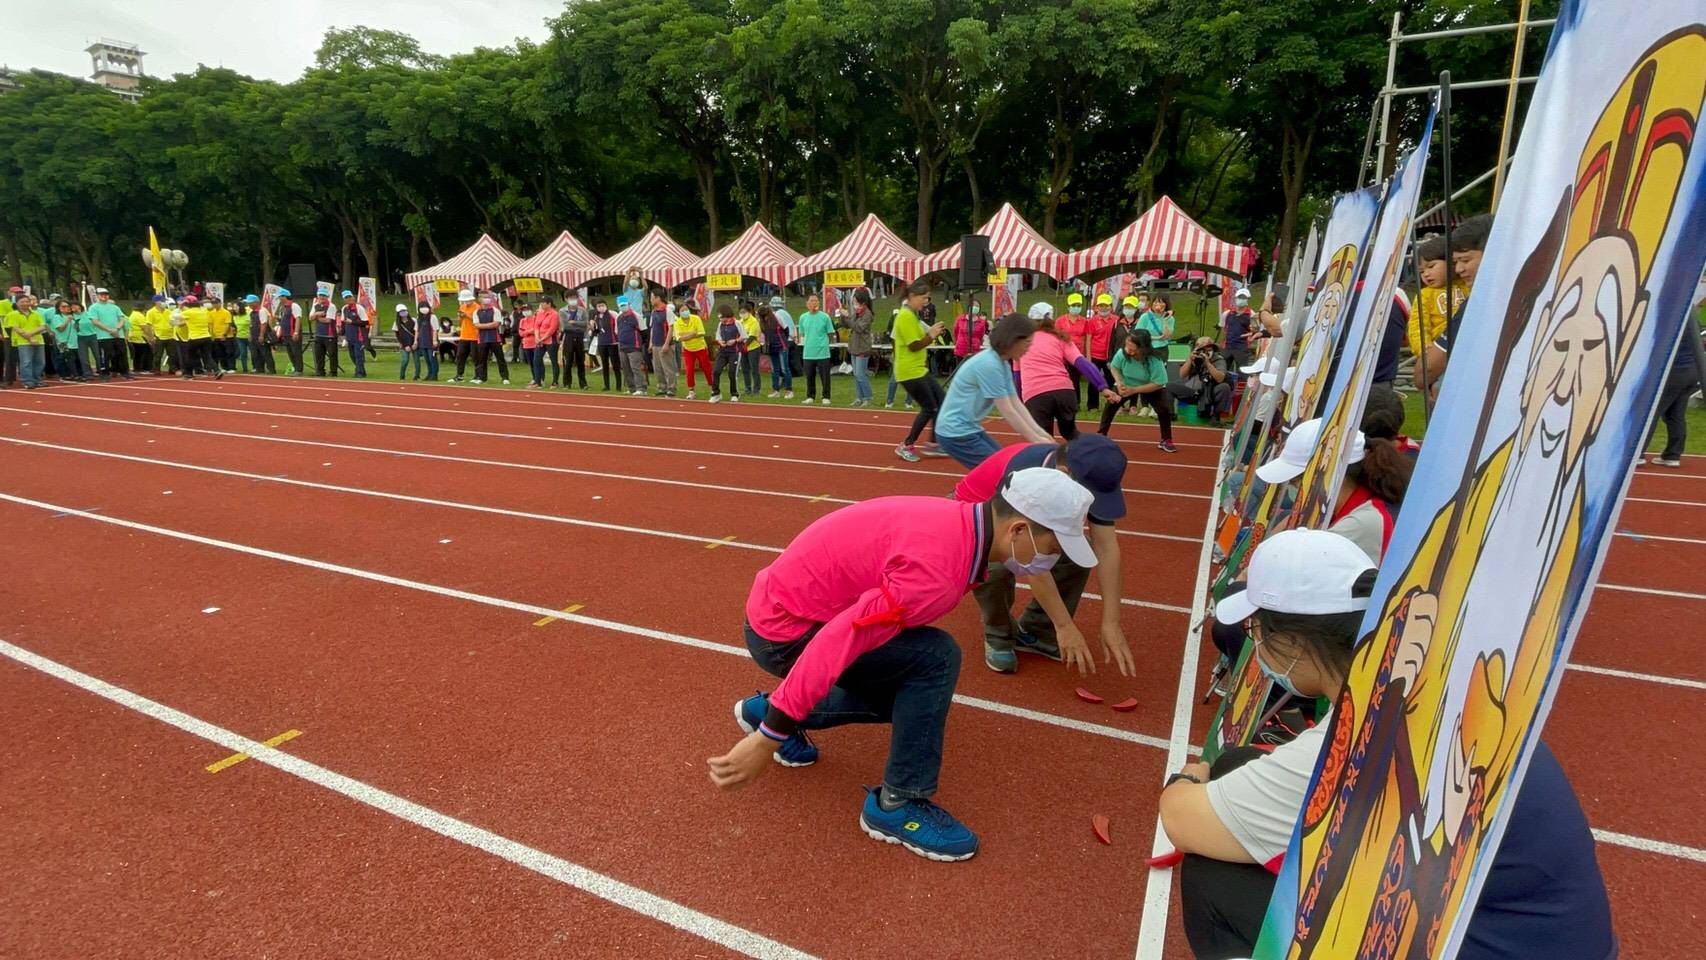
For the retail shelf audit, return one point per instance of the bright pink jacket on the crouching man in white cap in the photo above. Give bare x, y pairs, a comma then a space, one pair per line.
864, 572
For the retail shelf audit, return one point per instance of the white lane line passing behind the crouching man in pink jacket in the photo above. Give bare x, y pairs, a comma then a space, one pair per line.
533, 610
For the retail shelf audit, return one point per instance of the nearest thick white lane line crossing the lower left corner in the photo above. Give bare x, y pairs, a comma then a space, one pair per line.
583, 879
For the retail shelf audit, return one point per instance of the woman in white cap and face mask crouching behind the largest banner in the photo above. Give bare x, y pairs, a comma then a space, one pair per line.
1304, 601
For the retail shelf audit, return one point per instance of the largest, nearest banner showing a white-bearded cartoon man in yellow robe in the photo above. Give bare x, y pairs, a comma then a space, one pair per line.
1577, 309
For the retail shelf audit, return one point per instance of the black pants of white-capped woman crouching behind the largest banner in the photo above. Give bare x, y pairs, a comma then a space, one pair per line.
1224, 903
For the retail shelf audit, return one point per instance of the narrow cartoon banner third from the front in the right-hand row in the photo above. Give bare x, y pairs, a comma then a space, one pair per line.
1349, 231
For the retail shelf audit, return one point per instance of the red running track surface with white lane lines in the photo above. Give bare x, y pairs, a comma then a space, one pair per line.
588, 743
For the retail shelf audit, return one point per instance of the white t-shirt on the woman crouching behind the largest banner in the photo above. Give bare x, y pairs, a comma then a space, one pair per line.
1260, 802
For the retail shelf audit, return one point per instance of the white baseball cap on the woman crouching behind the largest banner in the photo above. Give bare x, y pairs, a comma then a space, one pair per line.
1299, 572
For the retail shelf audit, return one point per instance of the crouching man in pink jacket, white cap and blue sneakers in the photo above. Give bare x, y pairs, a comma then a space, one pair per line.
844, 618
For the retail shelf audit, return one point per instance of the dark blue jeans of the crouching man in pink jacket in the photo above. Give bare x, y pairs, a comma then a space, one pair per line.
907, 683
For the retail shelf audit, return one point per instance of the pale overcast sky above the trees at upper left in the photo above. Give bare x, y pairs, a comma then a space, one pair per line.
276, 40
